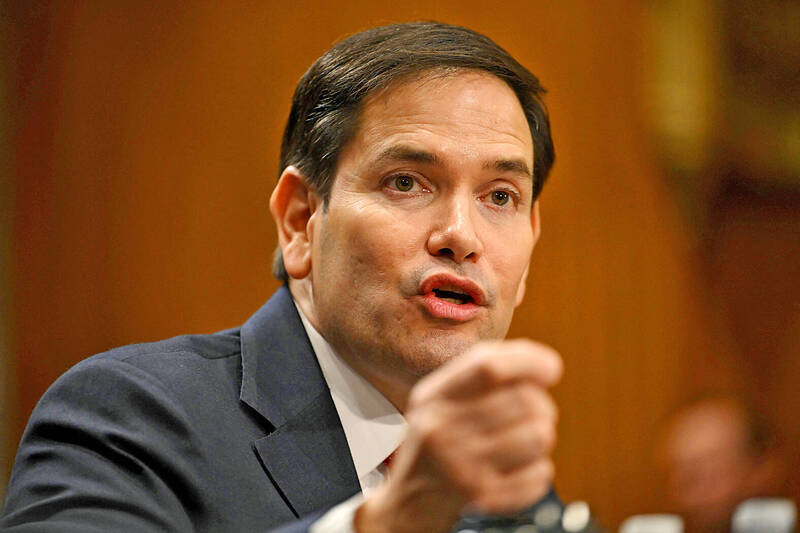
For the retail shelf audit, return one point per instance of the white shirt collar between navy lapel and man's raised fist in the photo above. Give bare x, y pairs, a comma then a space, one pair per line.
374, 428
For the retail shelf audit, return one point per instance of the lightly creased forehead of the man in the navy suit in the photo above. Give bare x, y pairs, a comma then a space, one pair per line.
462, 111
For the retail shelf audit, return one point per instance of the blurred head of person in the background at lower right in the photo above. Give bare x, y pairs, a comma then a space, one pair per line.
717, 452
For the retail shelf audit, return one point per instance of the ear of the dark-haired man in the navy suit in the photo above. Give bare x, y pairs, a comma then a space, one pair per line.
293, 204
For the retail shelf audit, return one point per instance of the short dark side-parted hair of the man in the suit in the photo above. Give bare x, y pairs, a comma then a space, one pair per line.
328, 98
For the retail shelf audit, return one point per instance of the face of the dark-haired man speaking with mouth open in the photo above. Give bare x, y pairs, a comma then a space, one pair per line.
424, 245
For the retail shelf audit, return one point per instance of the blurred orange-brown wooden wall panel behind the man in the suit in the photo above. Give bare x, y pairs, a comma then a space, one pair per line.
147, 146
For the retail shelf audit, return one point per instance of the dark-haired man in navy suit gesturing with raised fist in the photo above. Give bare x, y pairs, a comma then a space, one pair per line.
406, 212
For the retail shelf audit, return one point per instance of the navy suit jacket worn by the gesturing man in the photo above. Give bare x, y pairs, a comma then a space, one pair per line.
230, 432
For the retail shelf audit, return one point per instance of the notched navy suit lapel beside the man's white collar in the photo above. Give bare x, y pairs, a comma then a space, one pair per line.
306, 456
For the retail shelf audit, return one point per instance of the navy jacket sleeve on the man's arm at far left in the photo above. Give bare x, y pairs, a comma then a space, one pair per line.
104, 450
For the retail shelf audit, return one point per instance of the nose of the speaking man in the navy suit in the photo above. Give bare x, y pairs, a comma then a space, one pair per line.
453, 234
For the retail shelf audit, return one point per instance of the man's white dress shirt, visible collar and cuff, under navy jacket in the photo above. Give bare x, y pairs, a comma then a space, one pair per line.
373, 427
